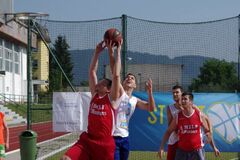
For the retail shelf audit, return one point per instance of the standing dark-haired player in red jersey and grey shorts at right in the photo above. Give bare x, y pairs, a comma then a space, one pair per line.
188, 123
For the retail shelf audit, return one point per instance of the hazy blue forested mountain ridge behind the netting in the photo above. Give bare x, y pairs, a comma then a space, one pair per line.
81, 60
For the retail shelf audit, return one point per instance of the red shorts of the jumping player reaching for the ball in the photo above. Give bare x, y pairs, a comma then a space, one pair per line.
92, 149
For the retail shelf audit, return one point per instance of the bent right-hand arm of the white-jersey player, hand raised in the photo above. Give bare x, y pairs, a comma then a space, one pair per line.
150, 105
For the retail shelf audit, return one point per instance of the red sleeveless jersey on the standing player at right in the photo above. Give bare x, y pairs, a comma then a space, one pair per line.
189, 131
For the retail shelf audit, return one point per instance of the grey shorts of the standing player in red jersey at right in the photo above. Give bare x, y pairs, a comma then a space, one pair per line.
190, 155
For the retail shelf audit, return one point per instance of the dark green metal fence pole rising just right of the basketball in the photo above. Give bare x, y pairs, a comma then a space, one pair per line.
124, 48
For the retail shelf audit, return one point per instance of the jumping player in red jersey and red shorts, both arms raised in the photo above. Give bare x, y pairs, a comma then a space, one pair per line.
97, 143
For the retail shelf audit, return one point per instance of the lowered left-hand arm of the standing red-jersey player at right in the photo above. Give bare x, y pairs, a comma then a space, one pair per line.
171, 128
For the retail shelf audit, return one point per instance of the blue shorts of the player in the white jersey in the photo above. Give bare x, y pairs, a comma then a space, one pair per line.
122, 148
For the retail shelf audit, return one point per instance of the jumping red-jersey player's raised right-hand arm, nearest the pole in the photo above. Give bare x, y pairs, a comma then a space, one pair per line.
116, 78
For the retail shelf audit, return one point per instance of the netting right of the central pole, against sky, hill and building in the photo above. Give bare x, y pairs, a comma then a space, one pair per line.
174, 52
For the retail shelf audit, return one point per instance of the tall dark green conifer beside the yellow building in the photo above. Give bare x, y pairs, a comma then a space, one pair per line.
56, 78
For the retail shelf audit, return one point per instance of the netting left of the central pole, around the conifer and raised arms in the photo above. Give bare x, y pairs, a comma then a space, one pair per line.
82, 38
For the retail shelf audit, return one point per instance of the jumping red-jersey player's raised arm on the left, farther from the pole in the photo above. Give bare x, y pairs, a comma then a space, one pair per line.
94, 66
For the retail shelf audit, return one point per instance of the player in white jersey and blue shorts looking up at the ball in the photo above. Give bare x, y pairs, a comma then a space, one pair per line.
126, 107
